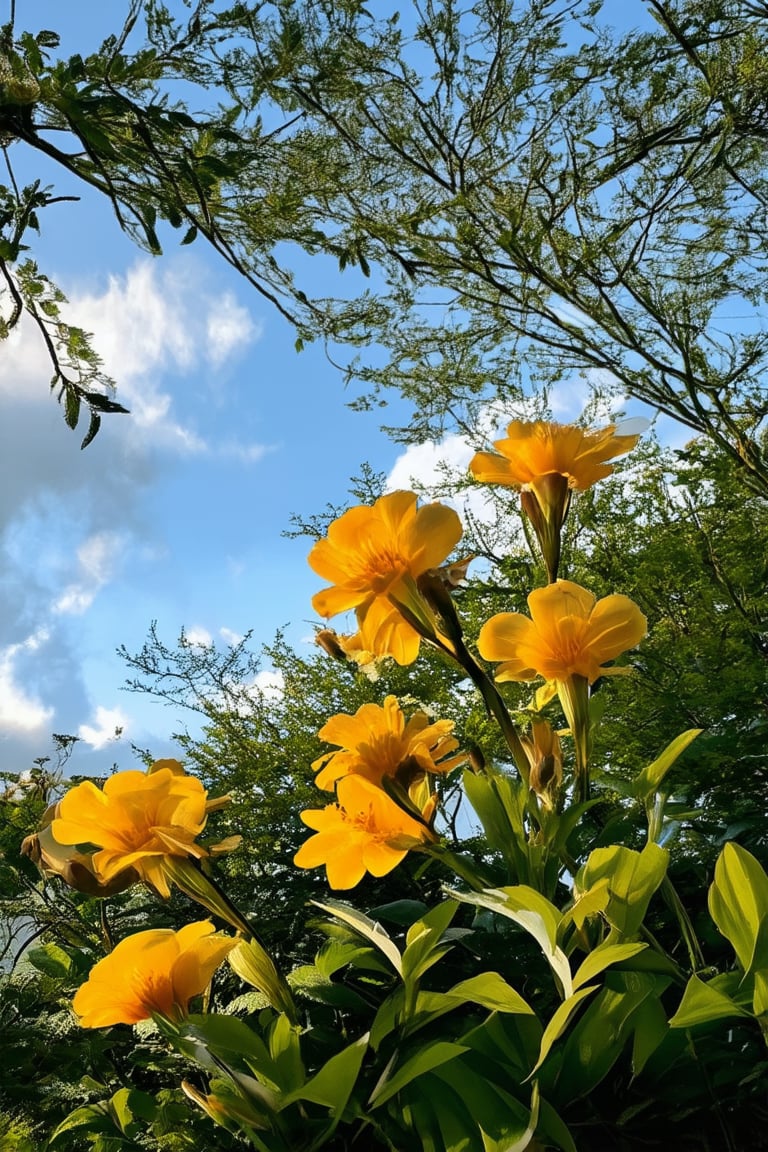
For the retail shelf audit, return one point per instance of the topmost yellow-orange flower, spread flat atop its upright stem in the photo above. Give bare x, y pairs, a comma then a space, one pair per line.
538, 449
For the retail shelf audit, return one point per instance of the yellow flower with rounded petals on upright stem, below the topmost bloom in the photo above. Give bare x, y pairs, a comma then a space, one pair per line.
569, 634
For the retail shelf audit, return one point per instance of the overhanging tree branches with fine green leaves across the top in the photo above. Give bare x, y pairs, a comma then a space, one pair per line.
531, 193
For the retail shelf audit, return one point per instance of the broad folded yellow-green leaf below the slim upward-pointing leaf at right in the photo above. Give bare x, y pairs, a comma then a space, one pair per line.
633, 880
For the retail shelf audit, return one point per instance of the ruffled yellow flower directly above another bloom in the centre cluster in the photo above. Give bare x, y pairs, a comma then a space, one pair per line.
377, 742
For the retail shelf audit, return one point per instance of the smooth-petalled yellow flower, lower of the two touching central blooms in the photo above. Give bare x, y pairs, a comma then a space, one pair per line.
364, 832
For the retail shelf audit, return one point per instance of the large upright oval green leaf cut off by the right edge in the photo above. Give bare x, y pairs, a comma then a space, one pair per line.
739, 905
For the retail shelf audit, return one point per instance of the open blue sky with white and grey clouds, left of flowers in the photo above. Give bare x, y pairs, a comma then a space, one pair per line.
174, 513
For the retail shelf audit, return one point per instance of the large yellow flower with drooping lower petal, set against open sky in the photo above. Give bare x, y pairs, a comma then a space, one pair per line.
374, 557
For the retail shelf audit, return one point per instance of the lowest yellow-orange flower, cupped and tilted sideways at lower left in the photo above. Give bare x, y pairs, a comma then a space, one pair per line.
155, 972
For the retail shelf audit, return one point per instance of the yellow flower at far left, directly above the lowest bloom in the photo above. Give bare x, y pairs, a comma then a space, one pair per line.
136, 821
